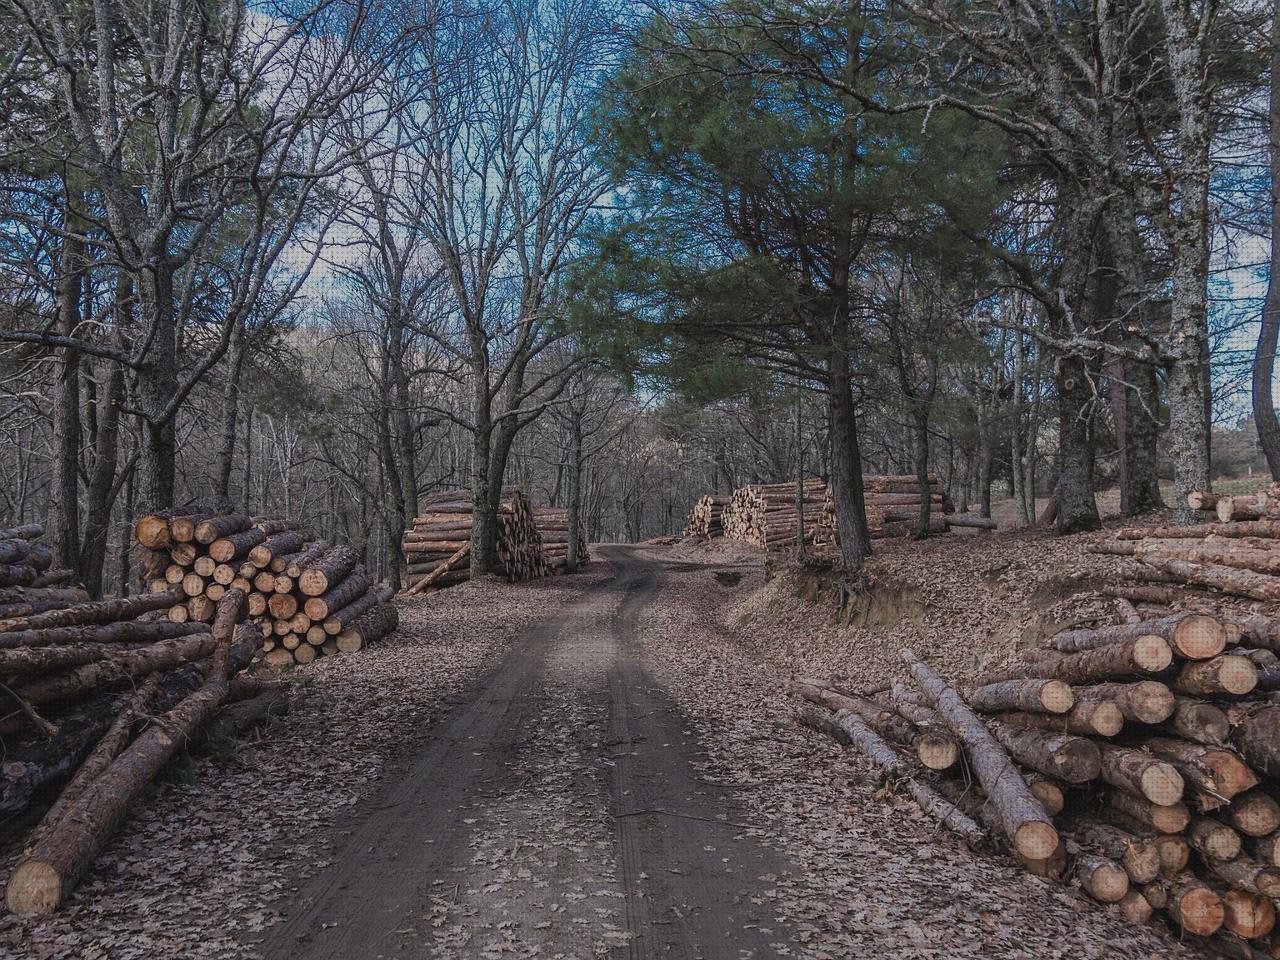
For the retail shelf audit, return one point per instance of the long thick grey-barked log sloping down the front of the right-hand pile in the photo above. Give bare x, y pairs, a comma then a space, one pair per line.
1028, 828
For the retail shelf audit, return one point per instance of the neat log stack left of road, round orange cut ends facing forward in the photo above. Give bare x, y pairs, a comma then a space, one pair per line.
307, 597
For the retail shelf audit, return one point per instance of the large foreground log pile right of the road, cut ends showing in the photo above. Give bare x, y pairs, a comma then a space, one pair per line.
1140, 758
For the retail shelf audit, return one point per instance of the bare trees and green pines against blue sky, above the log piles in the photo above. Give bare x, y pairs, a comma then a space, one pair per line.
321, 260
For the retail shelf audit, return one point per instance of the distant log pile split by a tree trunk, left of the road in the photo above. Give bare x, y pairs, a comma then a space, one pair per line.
438, 546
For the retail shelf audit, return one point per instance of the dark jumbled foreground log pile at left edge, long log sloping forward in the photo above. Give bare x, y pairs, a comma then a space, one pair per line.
98, 698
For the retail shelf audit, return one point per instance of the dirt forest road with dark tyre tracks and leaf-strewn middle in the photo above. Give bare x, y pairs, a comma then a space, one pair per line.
557, 813
